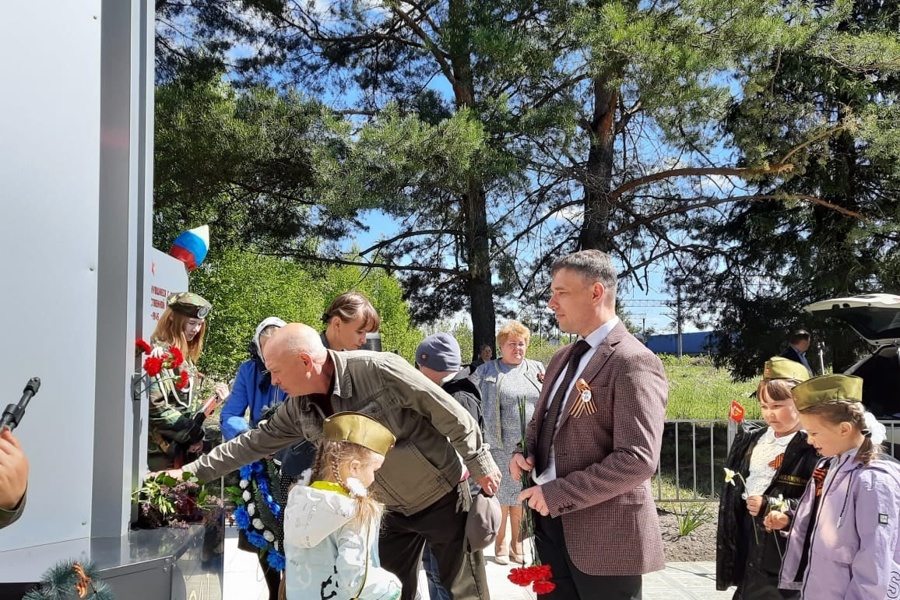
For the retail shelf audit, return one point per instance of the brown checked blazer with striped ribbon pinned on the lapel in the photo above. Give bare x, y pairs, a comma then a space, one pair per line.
604, 461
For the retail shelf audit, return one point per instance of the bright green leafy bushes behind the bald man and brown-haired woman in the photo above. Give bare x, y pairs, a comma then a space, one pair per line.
245, 288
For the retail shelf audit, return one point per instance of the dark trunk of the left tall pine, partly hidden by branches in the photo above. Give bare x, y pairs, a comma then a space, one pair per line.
473, 204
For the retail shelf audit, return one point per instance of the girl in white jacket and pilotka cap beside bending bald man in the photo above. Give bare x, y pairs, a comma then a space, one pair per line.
331, 524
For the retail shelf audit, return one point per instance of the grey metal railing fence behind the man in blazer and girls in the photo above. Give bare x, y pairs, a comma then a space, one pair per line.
692, 460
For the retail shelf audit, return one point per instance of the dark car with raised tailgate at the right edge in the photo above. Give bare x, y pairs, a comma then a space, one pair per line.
876, 318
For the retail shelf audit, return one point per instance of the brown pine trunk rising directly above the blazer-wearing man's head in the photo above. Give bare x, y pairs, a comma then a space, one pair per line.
595, 232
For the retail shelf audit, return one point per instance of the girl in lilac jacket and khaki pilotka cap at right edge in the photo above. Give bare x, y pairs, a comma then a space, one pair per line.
844, 534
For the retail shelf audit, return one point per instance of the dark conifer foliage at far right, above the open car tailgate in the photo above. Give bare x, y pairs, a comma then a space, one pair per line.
828, 104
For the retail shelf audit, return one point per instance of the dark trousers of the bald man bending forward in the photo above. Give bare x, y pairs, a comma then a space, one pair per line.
443, 526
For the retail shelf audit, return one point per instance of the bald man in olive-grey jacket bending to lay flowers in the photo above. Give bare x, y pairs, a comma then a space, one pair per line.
421, 481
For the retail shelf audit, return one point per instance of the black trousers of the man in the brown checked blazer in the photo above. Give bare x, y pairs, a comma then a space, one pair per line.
572, 584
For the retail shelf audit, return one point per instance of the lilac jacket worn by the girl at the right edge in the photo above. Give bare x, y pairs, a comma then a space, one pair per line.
854, 551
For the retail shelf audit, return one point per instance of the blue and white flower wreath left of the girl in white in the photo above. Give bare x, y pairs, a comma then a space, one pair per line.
257, 513
